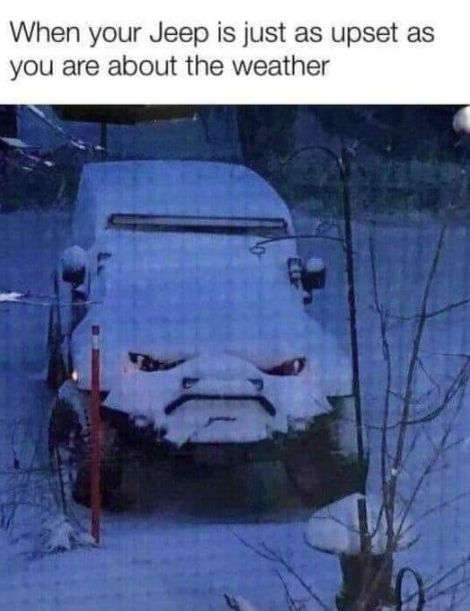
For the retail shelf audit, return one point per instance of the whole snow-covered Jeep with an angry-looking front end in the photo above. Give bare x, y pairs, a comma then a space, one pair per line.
207, 349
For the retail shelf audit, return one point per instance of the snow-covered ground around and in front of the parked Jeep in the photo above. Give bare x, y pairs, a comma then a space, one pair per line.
178, 550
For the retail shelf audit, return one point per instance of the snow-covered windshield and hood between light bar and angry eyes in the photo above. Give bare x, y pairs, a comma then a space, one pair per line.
172, 296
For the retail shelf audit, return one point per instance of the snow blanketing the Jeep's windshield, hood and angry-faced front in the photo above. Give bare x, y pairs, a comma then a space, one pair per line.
226, 316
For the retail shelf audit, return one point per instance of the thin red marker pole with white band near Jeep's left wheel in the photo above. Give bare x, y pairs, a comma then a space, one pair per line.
95, 406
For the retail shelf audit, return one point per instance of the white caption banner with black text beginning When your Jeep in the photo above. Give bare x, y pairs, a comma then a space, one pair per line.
184, 52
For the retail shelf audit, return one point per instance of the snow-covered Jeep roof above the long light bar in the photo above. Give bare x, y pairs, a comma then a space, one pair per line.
194, 188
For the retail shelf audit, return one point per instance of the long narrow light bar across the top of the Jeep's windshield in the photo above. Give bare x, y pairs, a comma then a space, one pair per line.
269, 227
